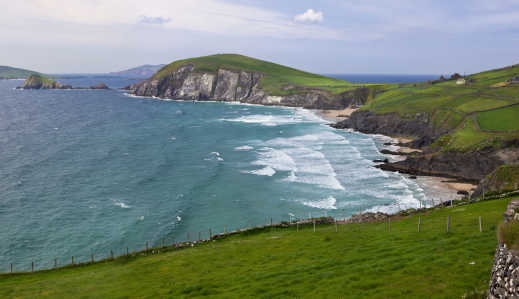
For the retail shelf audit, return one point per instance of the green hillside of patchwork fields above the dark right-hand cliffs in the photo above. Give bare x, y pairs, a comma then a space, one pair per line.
483, 111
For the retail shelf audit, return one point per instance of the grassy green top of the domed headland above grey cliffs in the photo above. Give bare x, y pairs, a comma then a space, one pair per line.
275, 76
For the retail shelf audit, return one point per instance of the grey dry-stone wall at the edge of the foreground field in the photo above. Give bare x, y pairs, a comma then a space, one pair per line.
504, 280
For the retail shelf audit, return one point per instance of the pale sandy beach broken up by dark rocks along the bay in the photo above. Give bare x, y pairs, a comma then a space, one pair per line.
436, 187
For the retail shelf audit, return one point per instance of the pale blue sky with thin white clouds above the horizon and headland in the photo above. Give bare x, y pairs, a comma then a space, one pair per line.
328, 36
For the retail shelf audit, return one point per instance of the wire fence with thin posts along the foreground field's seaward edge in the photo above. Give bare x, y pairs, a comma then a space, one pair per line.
404, 226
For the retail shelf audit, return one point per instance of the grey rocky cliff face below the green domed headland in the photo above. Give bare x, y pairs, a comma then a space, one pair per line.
186, 83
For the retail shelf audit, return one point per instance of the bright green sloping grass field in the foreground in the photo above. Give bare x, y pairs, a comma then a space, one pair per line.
357, 261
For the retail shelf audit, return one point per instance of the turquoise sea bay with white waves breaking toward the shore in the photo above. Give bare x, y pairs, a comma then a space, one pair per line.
87, 171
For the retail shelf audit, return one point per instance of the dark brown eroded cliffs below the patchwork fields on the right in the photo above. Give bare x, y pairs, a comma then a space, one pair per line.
467, 166
